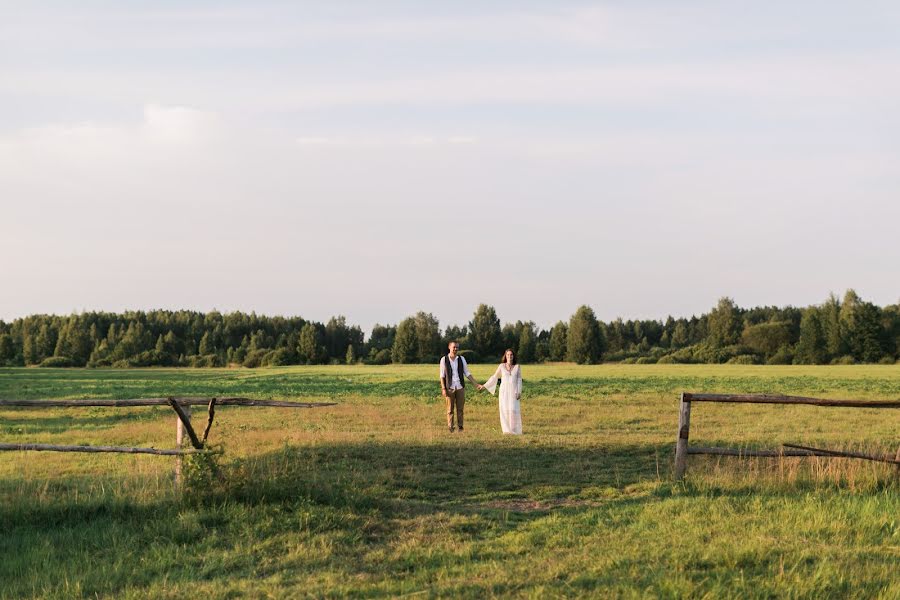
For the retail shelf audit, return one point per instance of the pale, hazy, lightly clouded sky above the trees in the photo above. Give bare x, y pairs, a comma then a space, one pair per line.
375, 158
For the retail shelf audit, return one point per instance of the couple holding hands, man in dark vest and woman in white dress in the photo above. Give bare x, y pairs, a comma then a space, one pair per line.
454, 371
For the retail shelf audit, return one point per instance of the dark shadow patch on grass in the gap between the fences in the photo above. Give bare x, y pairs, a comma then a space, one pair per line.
436, 476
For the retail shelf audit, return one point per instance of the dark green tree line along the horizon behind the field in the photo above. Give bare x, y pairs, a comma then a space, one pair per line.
838, 331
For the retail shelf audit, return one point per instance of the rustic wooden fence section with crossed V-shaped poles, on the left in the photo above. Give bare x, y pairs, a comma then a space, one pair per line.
183, 427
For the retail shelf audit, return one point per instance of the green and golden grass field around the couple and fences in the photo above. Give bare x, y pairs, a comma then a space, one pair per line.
374, 498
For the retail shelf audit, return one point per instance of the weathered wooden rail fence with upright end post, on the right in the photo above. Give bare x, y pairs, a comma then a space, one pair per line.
683, 450
